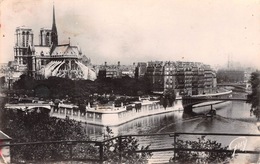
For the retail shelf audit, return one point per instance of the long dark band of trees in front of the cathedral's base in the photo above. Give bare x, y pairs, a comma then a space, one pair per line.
80, 91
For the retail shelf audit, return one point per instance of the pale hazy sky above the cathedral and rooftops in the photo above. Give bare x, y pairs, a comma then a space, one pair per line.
128, 31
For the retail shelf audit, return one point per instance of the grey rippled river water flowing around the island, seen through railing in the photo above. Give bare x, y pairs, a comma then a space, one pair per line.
234, 117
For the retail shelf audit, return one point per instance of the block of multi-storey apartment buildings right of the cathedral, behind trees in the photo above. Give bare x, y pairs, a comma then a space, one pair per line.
186, 78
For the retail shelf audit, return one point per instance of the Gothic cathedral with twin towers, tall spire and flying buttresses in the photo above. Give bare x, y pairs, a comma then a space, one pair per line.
50, 58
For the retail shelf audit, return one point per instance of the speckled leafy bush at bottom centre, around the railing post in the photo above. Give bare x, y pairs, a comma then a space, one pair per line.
129, 144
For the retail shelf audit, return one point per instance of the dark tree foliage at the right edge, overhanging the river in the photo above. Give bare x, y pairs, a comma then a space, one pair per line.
254, 97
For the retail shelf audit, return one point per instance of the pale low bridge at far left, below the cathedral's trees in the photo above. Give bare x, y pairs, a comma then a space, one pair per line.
28, 106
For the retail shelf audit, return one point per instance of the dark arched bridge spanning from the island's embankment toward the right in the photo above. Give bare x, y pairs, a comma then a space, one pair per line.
189, 102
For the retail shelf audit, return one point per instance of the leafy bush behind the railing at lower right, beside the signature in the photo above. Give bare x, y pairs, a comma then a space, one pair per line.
199, 156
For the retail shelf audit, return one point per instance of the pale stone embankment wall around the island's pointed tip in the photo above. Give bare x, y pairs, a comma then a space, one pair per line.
109, 115
